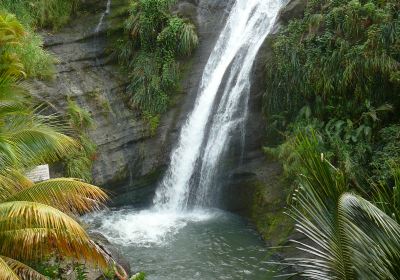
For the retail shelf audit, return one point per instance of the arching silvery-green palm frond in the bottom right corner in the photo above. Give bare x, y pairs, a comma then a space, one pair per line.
374, 238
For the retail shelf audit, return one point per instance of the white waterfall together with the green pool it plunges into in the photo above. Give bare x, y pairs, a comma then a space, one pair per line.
183, 237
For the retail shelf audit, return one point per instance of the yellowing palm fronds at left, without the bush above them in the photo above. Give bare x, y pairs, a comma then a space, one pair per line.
37, 218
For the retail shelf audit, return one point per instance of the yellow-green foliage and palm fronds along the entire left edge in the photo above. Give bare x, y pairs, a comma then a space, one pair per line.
37, 218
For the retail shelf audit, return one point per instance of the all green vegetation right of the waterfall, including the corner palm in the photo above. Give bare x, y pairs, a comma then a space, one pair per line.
334, 122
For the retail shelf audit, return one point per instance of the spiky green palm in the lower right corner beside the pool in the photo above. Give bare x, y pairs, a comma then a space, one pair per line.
348, 237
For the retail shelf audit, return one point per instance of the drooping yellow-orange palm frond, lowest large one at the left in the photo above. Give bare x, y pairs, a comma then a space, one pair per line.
30, 230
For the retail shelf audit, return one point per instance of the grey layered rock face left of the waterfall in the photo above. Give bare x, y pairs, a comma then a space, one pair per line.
130, 159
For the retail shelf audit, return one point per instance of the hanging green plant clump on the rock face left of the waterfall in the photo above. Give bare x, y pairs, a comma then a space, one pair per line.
155, 40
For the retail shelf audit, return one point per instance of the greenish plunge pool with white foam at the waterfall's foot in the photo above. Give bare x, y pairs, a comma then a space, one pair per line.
209, 244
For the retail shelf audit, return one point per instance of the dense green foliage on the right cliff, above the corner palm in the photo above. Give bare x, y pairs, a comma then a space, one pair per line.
340, 65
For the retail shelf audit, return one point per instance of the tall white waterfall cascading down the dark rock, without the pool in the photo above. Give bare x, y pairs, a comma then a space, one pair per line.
247, 27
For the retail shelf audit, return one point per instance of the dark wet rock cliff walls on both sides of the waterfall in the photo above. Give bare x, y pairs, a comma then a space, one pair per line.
130, 158
